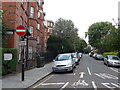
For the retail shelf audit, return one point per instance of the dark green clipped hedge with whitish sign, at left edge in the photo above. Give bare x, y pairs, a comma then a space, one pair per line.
10, 65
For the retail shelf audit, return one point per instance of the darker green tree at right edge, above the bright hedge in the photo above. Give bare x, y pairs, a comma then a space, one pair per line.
111, 41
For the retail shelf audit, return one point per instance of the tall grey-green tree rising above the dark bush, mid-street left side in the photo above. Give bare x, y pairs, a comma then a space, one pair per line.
66, 29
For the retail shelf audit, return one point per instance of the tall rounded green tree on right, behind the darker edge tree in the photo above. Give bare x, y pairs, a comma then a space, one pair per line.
97, 32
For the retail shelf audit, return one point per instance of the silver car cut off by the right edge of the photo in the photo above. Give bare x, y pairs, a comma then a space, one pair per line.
111, 60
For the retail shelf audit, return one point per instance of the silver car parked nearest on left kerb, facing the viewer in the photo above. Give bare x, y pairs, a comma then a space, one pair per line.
63, 62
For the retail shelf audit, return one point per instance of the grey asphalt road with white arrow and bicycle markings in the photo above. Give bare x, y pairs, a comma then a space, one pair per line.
90, 73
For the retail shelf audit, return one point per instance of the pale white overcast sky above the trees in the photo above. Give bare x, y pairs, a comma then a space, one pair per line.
82, 12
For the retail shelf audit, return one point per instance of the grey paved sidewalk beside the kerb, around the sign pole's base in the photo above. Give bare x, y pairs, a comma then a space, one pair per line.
31, 77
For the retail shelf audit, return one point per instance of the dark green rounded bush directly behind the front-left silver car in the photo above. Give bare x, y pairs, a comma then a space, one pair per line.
59, 45
